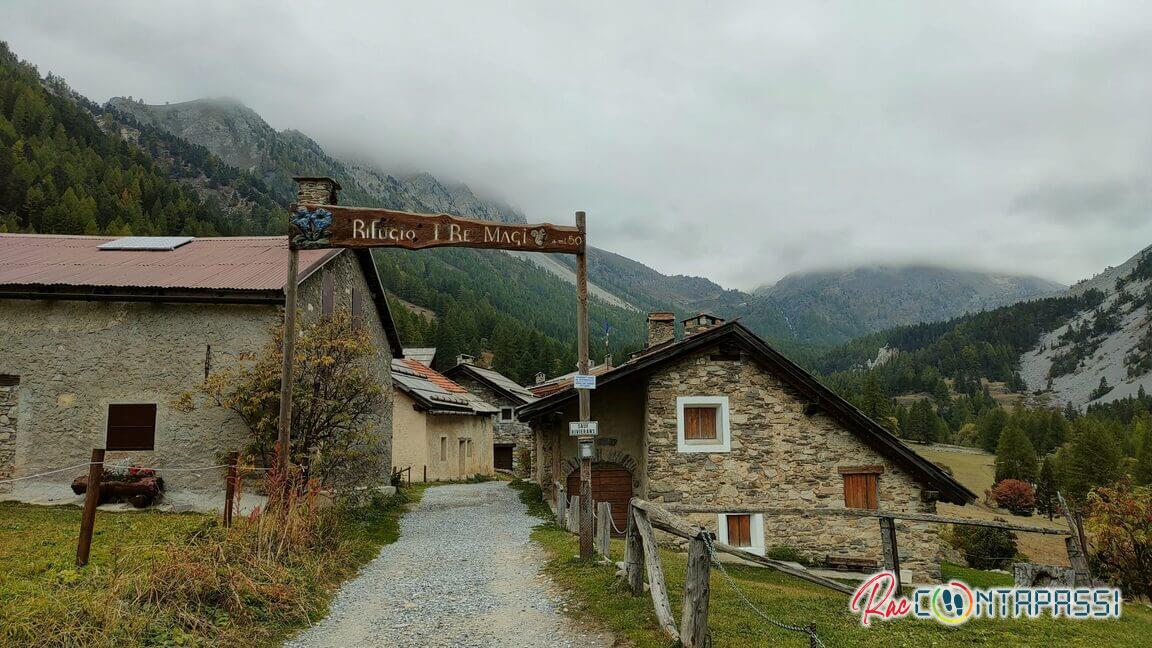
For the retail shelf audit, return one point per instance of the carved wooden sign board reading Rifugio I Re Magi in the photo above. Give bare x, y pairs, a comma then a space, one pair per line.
334, 227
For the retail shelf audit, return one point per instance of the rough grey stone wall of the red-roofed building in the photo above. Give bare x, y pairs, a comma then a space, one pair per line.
75, 358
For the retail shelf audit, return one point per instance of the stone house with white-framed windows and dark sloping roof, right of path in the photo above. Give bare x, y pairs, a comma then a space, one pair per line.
721, 419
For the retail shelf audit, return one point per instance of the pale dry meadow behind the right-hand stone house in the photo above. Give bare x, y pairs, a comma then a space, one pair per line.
976, 470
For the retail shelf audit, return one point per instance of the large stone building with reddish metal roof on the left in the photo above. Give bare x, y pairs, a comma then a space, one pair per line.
98, 337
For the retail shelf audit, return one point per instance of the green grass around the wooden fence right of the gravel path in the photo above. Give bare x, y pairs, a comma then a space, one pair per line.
600, 598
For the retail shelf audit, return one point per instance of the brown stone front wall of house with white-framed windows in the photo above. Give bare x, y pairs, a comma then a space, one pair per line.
779, 458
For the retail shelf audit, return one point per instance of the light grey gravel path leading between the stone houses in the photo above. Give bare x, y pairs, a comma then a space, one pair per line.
464, 574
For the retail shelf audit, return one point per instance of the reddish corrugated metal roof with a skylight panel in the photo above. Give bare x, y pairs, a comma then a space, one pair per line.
237, 263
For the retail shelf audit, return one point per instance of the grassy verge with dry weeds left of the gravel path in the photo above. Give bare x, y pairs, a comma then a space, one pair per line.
47, 601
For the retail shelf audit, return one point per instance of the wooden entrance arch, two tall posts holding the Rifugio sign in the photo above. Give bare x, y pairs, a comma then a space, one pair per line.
317, 223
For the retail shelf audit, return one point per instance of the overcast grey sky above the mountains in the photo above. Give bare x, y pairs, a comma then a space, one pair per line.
739, 141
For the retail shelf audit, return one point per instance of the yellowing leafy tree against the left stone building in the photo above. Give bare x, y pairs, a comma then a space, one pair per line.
337, 403
